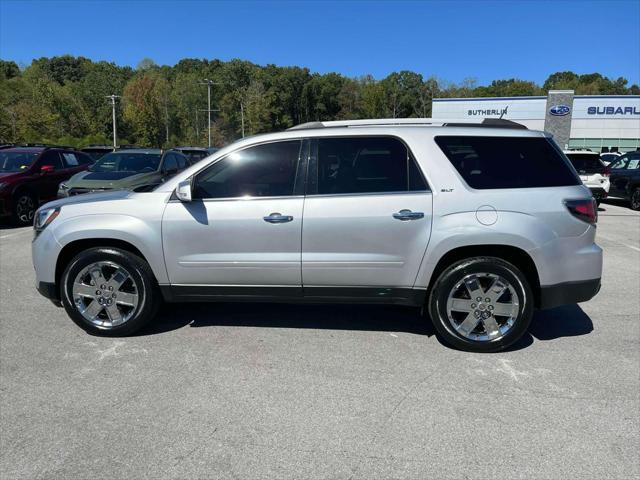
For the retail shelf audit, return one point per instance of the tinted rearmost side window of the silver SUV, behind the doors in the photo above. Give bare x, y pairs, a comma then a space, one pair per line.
507, 162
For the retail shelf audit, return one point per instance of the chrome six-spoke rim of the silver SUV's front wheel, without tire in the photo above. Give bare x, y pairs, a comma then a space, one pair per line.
105, 294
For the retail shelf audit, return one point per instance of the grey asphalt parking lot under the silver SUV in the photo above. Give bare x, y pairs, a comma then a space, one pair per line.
277, 391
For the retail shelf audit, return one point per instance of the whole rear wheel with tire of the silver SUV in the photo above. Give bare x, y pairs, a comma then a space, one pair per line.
481, 304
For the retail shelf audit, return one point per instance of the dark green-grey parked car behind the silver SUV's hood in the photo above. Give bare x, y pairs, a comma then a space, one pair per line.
125, 170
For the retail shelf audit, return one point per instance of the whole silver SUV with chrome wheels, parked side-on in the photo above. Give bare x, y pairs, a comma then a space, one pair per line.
479, 223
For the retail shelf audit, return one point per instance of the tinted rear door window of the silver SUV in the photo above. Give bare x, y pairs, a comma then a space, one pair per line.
366, 165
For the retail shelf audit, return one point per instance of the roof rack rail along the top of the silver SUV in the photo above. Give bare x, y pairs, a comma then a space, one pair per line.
485, 123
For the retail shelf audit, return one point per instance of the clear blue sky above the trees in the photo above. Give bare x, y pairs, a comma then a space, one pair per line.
451, 40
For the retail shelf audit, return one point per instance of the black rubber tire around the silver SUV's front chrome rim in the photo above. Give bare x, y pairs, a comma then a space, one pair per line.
140, 274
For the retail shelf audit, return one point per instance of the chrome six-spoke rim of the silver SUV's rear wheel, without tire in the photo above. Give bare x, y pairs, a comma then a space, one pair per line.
482, 306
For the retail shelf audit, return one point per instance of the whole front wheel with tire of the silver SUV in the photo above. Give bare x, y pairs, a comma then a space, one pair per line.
108, 291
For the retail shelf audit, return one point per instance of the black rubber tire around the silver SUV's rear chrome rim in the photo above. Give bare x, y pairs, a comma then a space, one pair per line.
448, 280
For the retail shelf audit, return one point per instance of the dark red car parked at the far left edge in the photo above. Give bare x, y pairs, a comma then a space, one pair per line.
30, 175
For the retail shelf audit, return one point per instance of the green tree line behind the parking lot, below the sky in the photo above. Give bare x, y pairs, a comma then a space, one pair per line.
63, 99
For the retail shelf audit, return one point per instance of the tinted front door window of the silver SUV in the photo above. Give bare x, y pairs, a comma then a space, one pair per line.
262, 171
